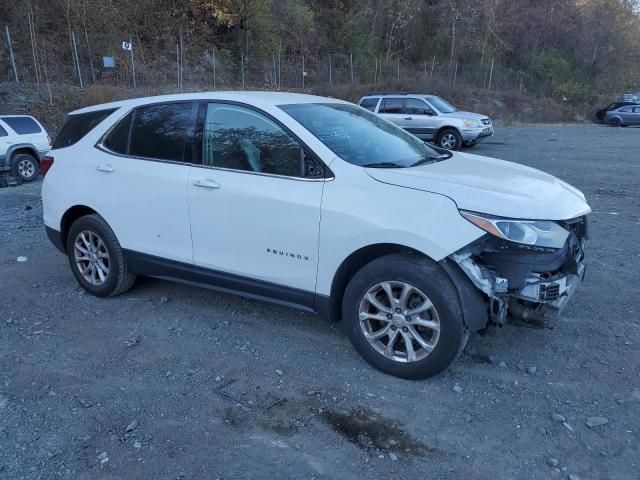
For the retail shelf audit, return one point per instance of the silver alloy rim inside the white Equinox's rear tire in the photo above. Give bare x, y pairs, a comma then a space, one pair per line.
91, 257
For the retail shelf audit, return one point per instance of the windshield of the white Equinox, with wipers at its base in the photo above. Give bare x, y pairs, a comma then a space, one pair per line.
358, 136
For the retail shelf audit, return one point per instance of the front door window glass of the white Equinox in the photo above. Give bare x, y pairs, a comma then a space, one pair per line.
240, 138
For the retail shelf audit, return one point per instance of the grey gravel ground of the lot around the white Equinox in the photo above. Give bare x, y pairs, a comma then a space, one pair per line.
171, 381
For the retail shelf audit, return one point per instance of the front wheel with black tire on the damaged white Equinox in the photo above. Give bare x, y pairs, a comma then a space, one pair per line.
403, 315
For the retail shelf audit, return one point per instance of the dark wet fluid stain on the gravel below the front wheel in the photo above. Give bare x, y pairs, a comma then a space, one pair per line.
369, 430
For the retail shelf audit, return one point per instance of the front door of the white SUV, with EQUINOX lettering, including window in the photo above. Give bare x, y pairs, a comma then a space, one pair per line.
255, 218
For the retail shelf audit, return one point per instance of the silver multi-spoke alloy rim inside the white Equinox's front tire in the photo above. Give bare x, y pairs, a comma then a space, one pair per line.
399, 321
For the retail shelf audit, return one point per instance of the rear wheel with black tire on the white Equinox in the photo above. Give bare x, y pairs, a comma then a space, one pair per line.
96, 258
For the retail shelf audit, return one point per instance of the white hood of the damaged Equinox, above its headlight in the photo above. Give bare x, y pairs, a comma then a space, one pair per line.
495, 187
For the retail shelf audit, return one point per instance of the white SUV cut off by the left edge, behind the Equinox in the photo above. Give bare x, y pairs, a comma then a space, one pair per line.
23, 142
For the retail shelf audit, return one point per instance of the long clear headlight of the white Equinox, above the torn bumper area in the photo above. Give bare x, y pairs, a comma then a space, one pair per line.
542, 233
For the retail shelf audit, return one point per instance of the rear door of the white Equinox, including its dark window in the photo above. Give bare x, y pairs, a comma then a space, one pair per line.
137, 179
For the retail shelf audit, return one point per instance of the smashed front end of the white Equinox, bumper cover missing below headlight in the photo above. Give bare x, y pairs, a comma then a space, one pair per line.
520, 283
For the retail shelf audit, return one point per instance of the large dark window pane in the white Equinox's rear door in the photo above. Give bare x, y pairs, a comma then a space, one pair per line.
161, 131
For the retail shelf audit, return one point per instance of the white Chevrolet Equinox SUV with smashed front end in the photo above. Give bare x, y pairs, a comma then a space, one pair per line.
317, 204
